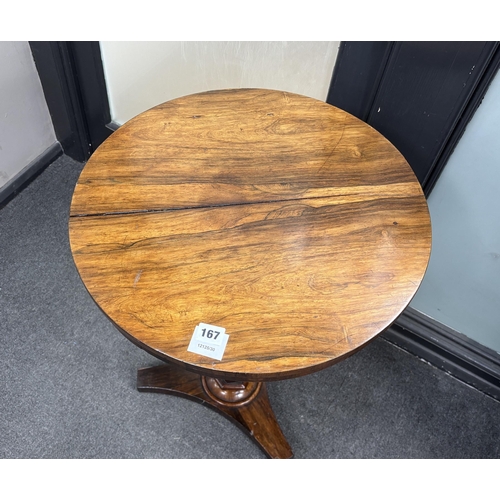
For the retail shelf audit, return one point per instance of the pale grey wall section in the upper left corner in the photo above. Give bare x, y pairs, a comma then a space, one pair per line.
26, 129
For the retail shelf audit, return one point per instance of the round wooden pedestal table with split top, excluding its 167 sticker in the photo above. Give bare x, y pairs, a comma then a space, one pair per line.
290, 223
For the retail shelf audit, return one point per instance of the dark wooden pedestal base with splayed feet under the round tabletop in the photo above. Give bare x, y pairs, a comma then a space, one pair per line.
244, 403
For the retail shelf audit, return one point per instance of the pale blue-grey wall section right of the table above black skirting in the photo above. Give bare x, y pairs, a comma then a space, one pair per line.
462, 286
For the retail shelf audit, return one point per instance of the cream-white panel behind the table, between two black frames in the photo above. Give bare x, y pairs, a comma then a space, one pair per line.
140, 75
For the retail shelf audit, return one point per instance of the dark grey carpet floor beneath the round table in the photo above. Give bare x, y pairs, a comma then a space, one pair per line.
67, 375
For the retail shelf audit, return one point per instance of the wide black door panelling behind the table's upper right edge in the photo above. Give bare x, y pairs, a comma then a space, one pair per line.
427, 91
